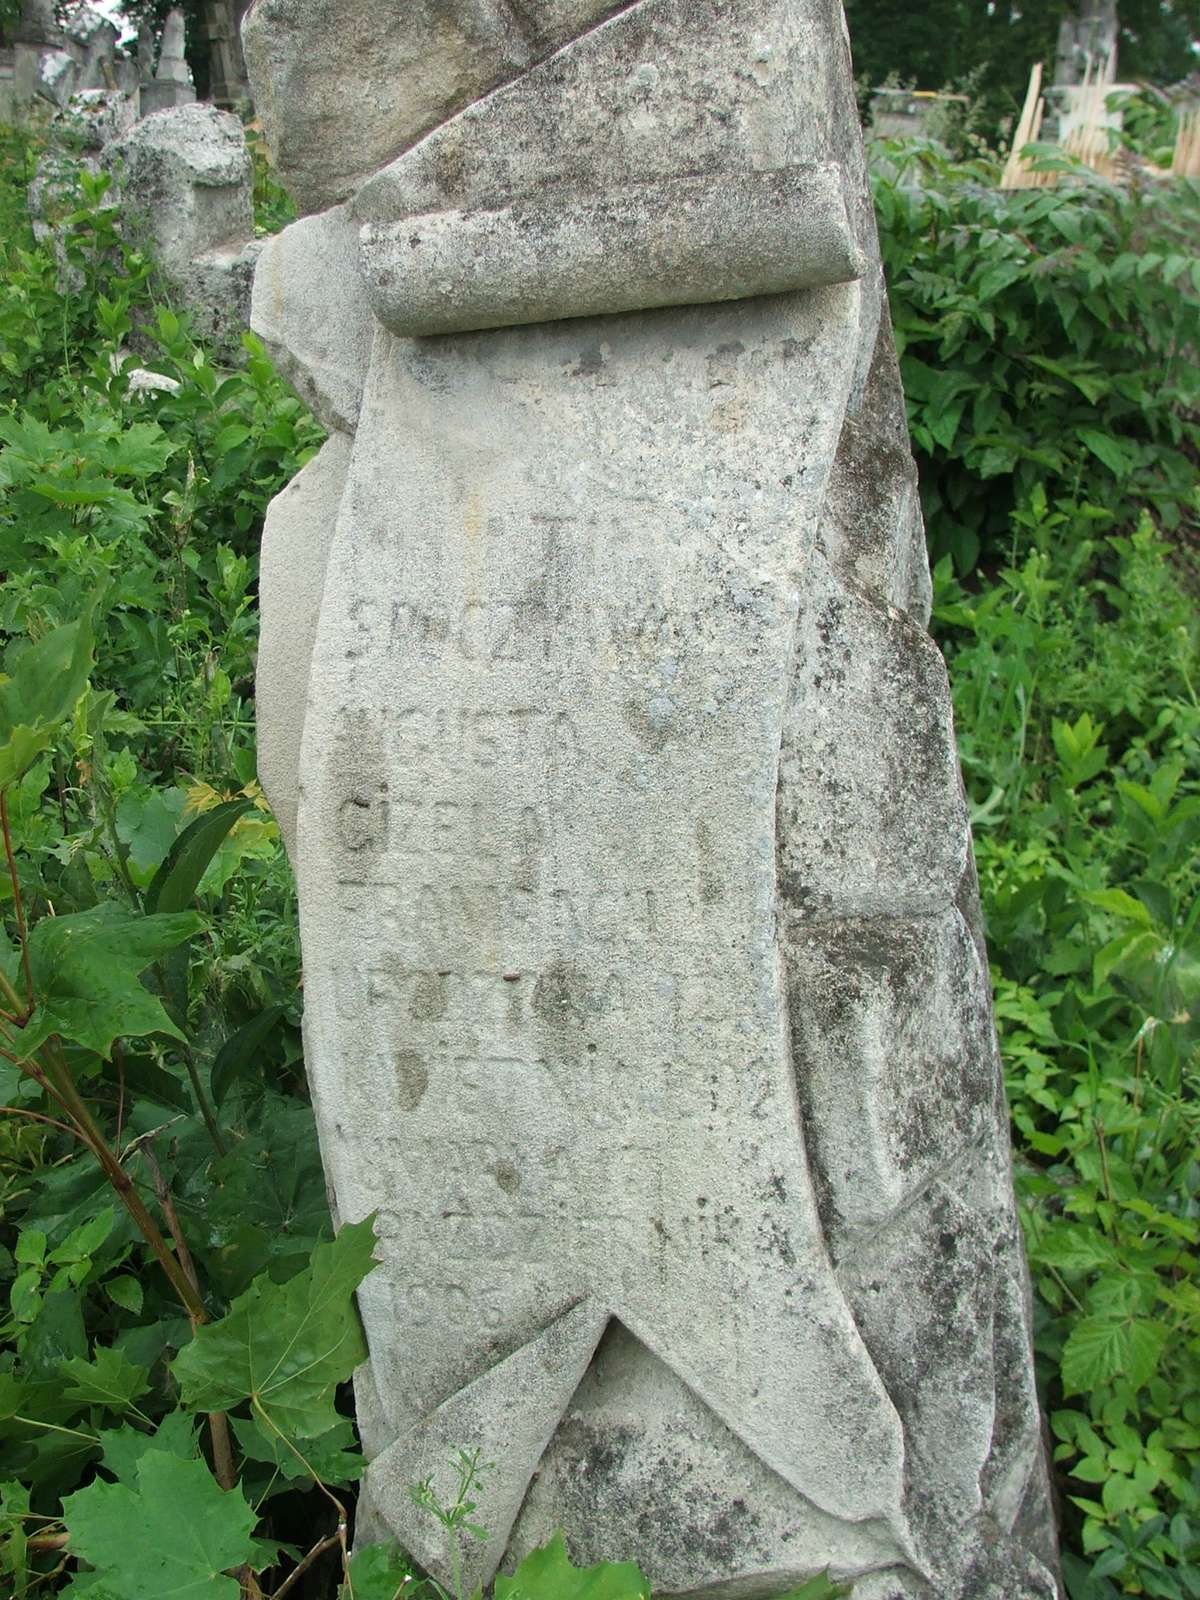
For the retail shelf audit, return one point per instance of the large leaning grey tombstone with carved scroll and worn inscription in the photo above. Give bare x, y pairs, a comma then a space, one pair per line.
646, 990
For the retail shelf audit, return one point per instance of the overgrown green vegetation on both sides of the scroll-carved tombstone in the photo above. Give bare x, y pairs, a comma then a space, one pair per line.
164, 1375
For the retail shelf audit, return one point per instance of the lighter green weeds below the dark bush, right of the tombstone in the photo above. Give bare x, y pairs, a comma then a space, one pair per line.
1081, 737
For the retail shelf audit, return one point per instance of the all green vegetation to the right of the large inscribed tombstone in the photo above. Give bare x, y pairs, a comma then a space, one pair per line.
1049, 348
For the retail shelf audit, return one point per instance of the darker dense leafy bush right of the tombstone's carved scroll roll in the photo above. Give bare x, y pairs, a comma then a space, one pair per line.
1044, 338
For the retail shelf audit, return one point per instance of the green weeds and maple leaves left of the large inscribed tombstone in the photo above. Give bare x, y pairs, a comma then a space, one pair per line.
146, 937
